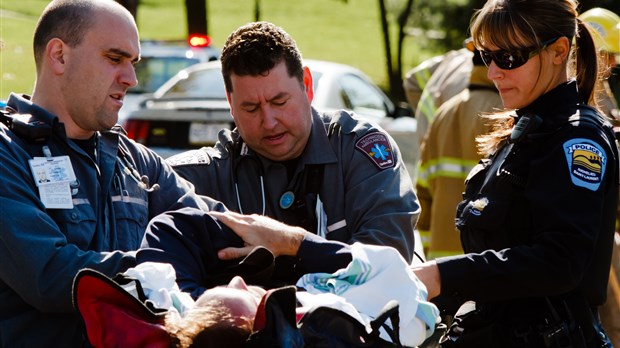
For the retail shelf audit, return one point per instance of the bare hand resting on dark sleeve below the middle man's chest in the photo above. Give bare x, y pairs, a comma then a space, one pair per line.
259, 230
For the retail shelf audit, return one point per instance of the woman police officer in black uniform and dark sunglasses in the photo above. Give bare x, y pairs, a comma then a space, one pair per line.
538, 215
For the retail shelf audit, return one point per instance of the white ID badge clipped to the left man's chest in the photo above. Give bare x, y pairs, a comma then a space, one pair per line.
53, 176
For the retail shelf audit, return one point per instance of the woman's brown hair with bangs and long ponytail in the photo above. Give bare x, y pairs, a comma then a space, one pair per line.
516, 24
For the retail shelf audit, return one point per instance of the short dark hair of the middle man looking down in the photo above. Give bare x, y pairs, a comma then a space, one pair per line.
256, 48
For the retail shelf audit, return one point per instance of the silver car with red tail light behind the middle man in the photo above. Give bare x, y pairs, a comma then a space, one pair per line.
191, 108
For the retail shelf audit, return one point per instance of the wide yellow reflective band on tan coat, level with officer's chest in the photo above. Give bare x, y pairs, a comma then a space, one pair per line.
447, 167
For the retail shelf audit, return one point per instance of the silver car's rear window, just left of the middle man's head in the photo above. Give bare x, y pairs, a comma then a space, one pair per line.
199, 84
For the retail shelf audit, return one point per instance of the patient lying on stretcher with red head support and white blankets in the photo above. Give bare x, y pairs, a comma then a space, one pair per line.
181, 294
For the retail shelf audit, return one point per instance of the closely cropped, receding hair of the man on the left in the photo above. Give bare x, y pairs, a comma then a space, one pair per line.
67, 20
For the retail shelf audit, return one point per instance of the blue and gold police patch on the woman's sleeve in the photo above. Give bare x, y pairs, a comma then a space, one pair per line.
586, 163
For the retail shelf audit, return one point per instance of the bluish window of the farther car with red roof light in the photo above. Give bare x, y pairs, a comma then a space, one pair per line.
152, 72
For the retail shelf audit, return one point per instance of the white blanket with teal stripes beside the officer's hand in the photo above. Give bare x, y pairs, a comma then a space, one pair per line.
376, 275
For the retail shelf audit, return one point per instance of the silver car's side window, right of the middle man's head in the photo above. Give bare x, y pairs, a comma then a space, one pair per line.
360, 97
